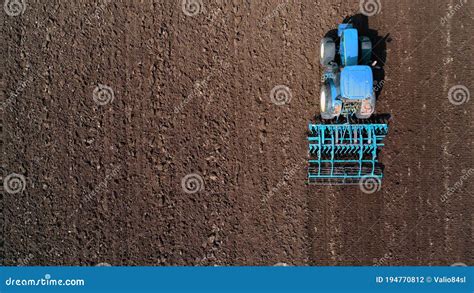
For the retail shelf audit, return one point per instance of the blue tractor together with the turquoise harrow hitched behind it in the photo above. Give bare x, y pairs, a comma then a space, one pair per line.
345, 143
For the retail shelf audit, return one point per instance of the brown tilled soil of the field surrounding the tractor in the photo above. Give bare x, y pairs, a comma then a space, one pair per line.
192, 95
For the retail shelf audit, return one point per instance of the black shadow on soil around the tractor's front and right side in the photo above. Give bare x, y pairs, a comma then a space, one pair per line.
379, 47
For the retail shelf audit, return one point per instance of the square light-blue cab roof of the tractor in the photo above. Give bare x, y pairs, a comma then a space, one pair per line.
357, 82
